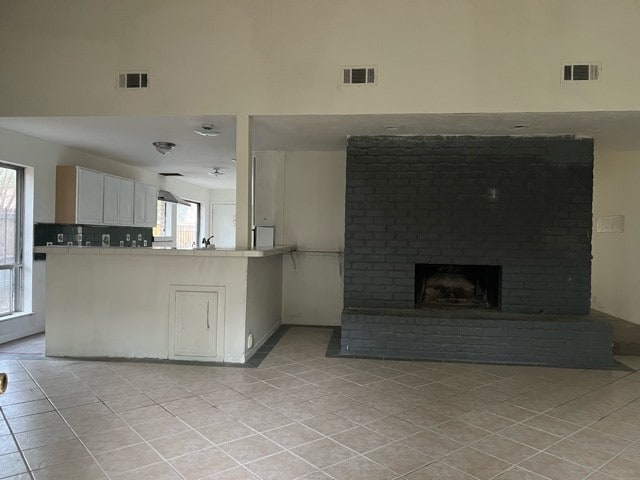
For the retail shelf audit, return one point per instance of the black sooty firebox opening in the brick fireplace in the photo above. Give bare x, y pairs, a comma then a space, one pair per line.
470, 286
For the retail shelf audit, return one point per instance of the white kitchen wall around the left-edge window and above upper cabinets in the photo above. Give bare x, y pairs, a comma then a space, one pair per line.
43, 157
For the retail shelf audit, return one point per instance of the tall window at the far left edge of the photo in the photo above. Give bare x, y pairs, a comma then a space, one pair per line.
11, 188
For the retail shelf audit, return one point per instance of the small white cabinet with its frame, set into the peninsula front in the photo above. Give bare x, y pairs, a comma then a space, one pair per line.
197, 322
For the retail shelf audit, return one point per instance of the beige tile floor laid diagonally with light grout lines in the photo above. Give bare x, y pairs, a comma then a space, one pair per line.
303, 415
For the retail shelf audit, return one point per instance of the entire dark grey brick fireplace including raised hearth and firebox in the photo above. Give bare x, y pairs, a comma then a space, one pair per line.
503, 221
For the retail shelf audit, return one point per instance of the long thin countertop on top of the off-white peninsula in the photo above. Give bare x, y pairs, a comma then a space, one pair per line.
191, 252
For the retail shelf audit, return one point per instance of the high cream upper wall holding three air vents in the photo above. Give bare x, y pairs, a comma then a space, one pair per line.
284, 56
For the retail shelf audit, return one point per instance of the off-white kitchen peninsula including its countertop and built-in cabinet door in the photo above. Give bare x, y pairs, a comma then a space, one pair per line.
200, 304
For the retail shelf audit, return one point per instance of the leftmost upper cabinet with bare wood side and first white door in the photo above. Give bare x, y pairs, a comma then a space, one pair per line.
79, 195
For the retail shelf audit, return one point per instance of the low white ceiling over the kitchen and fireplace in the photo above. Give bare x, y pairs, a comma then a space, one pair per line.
129, 139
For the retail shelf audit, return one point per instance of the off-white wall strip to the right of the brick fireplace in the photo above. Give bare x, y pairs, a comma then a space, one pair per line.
616, 257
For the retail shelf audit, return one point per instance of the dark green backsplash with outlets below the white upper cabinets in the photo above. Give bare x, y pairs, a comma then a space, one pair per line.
56, 234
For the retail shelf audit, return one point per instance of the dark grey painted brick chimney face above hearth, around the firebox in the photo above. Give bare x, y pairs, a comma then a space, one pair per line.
523, 203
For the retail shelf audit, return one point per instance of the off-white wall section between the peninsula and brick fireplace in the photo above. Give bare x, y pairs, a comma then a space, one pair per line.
303, 194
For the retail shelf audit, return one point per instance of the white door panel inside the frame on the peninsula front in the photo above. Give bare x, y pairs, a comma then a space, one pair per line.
196, 324
